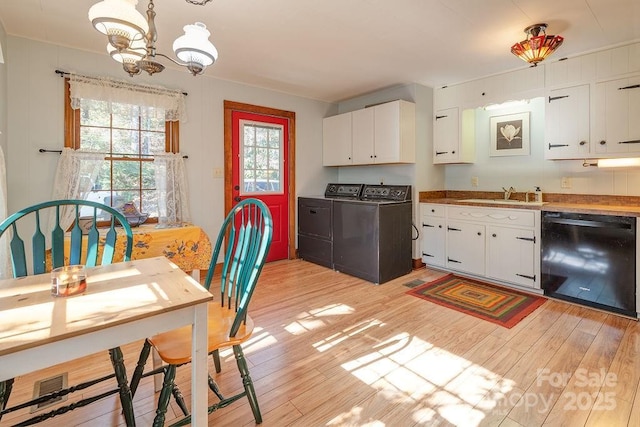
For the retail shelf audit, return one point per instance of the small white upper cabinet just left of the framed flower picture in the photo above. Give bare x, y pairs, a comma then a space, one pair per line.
454, 136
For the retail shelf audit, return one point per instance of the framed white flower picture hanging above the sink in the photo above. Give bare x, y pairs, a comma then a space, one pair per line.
510, 135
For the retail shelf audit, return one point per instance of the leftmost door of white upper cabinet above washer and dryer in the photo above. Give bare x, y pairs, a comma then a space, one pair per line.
336, 140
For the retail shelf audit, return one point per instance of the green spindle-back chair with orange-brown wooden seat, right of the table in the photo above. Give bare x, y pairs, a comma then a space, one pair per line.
246, 233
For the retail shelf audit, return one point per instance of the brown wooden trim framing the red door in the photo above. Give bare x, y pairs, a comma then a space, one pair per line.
229, 107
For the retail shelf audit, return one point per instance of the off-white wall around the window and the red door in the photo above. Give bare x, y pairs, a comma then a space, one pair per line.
36, 112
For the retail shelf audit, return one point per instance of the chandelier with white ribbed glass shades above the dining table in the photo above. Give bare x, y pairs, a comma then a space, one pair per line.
132, 38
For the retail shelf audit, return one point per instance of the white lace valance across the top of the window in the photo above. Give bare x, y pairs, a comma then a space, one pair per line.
121, 92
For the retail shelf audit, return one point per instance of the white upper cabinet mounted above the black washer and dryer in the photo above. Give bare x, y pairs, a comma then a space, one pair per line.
384, 133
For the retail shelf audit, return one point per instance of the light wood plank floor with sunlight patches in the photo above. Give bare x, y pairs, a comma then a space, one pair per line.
333, 350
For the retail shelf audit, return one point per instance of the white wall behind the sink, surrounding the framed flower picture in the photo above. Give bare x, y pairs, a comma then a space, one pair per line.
525, 172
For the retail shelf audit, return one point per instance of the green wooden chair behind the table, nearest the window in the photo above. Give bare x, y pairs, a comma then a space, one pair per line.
91, 250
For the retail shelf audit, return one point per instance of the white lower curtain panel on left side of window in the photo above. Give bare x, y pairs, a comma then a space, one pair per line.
75, 176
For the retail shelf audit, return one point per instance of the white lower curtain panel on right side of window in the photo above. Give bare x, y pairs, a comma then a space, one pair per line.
173, 193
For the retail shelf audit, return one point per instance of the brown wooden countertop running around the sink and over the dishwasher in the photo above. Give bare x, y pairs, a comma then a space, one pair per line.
606, 205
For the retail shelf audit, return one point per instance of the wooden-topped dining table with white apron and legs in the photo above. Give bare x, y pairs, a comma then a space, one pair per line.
124, 302
